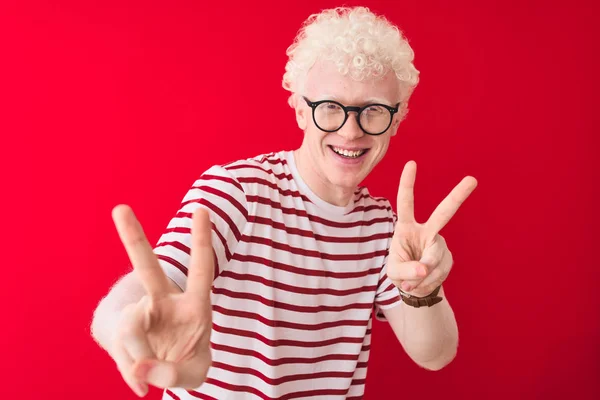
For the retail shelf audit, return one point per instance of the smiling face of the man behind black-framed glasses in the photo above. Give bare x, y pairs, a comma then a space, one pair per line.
320, 150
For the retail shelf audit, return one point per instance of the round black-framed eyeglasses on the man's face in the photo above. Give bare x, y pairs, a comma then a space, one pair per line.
373, 119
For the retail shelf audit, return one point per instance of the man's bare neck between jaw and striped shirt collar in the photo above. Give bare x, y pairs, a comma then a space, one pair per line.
325, 190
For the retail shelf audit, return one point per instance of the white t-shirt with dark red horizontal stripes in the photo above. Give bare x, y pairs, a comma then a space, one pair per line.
297, 281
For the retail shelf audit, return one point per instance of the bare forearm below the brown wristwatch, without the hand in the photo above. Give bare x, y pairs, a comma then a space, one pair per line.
429, 335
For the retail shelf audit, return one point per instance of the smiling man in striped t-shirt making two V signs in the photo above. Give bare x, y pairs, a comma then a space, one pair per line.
265, 281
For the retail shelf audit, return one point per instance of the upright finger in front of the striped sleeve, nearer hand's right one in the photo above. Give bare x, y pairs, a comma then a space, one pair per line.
200, 274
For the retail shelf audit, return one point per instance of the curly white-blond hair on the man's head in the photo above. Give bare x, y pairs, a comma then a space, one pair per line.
361, 43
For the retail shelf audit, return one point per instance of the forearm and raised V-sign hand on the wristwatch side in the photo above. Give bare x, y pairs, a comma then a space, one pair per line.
419, 261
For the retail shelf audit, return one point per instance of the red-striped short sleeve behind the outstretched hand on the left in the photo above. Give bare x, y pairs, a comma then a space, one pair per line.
219, 192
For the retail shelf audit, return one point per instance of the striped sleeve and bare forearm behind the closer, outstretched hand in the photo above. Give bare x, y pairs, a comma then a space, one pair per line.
216, 190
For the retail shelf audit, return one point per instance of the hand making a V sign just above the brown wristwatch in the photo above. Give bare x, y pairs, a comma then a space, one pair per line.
419, 259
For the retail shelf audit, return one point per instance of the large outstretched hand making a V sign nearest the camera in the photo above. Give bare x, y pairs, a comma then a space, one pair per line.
164, 339
